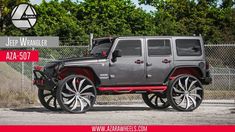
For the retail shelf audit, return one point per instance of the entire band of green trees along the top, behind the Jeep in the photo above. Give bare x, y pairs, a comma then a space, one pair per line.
73, 21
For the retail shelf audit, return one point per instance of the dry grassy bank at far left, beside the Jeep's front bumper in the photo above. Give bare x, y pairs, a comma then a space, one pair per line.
12, 92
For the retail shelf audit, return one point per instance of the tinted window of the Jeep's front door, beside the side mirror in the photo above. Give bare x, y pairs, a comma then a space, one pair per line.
129, 47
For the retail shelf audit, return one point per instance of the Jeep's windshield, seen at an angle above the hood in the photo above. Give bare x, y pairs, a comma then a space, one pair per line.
101, 47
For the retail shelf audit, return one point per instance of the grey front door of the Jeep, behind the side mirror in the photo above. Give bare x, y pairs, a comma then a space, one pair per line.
129, 69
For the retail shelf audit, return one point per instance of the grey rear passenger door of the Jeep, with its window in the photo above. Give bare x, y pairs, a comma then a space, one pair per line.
159, 59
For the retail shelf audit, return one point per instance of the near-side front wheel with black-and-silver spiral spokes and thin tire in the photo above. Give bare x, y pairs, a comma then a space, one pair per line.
76, 94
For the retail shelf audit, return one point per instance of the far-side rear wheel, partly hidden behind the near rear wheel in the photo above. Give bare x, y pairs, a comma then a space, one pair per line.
155, 100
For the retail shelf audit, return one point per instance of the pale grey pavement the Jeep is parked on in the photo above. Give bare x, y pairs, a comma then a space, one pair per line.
138, 114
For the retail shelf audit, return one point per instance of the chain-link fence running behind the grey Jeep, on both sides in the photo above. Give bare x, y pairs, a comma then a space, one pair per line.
16, 78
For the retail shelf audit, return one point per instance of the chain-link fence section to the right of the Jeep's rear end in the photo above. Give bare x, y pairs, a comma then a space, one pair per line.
222, 68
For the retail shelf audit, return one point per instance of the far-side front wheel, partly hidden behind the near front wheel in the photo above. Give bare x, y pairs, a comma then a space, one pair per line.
48, 99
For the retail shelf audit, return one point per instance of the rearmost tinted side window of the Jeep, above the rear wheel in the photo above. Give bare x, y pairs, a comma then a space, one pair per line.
188, 47
